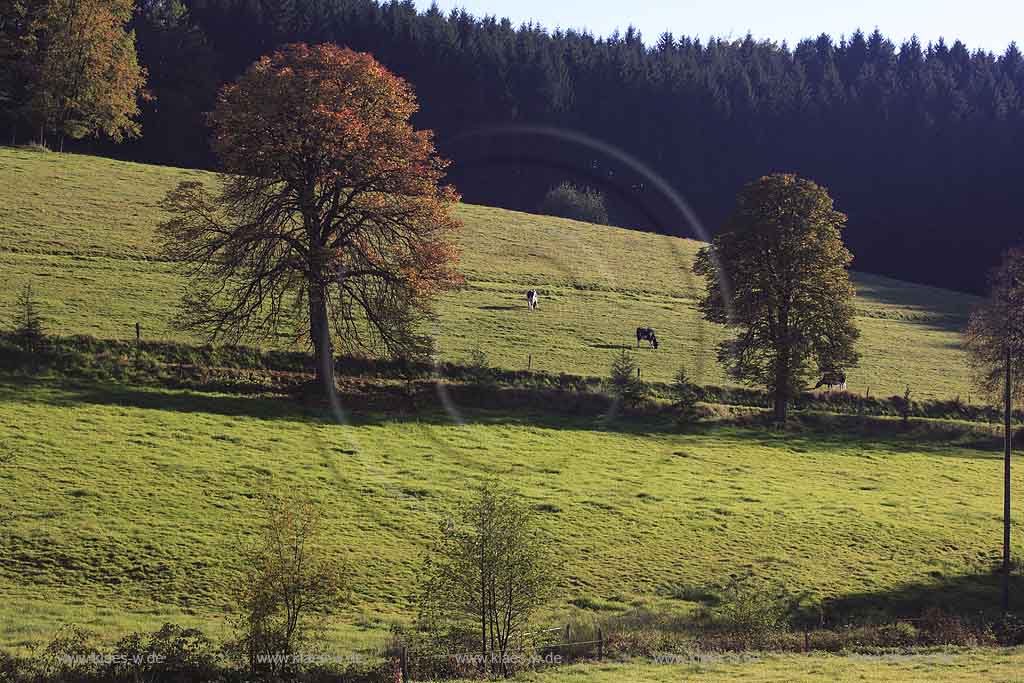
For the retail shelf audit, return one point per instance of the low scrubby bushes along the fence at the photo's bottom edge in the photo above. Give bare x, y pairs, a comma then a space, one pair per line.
177, 655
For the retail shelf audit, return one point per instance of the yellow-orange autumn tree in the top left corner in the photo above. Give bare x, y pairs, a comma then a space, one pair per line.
87, 78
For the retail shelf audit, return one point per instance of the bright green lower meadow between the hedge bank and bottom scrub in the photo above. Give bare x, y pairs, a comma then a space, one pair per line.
133, 502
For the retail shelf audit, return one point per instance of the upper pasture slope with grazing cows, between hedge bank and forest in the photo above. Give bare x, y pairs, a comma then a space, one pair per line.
81, 230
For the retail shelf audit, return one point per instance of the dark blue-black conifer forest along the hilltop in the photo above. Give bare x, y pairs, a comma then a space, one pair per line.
921, 146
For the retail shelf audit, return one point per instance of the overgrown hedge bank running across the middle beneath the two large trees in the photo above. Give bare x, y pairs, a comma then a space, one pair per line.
242, 369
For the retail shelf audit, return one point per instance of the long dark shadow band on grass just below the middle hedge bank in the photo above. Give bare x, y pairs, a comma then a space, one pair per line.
381, 404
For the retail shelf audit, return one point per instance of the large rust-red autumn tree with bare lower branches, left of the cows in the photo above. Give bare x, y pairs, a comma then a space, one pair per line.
331, 220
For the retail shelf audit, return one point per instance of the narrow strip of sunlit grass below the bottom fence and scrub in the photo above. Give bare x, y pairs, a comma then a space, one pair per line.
955, 667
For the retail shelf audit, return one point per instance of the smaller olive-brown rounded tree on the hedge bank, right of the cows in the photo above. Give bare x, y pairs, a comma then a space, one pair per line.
779, 276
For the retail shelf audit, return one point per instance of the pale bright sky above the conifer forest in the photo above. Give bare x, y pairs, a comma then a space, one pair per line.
986, 24
